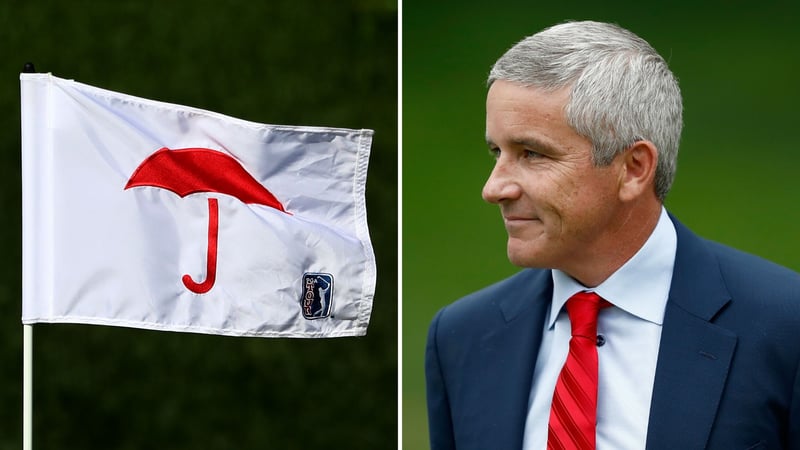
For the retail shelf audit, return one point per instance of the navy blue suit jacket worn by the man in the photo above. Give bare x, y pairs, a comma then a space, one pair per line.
728, 371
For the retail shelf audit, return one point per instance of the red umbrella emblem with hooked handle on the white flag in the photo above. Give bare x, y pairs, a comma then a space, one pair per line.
188, 171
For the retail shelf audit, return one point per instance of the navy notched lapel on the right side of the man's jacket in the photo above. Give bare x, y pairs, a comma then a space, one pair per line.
694, 355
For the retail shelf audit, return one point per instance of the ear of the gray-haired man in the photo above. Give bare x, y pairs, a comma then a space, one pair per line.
637, 177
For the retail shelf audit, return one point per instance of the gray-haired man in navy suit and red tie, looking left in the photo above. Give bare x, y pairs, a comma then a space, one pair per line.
691, 344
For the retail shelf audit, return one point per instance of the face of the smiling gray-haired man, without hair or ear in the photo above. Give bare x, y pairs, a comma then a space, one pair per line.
557, 206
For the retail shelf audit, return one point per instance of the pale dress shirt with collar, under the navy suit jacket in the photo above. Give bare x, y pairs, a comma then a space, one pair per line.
627, 361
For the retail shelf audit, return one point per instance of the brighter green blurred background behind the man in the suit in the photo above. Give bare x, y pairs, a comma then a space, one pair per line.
737, 180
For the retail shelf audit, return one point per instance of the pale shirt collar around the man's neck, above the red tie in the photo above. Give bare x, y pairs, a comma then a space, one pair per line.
640, 287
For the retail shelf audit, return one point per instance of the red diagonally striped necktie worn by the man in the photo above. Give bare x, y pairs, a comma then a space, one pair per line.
573, 415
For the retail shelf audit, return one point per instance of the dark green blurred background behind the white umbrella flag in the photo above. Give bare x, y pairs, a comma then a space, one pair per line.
297, 62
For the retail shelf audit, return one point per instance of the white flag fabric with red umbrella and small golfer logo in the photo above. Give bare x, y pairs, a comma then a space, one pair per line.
146, 214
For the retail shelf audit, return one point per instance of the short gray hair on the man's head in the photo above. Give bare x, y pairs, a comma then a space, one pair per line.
621, 89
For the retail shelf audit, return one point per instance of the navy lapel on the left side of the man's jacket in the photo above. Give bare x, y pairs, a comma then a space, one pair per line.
505, 359
